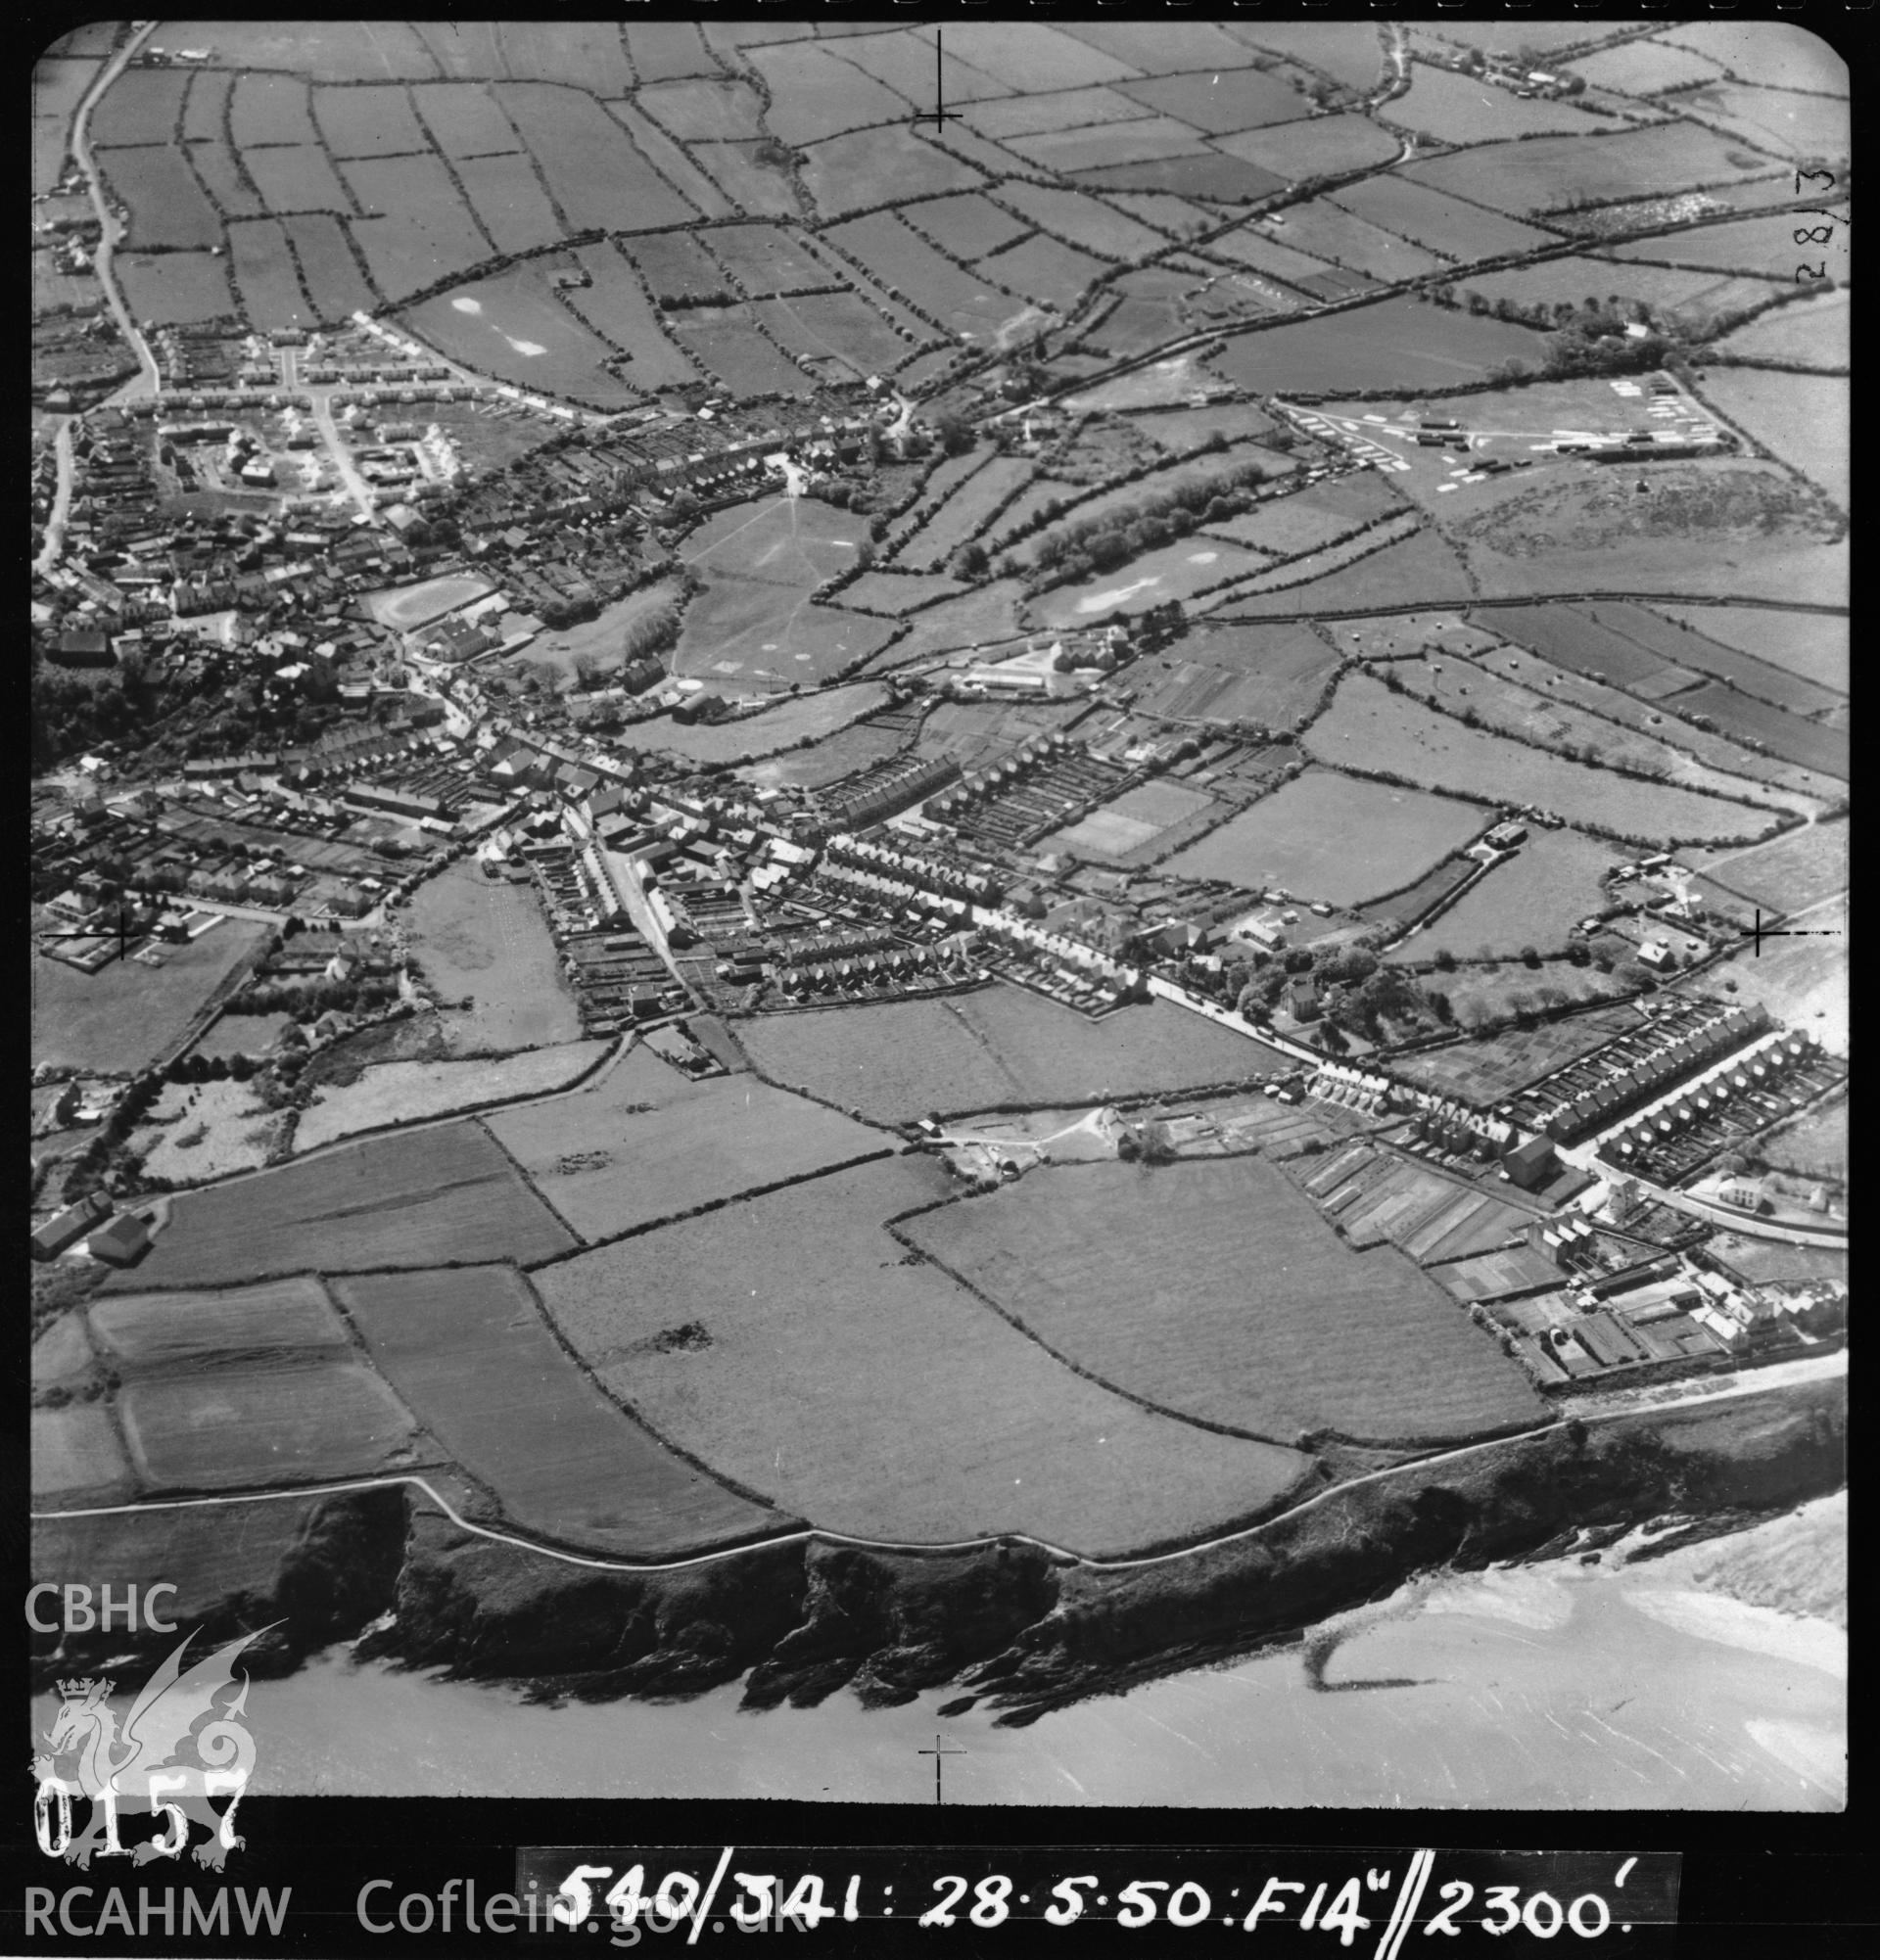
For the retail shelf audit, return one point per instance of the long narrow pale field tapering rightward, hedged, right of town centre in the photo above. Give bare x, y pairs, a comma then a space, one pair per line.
1371, 728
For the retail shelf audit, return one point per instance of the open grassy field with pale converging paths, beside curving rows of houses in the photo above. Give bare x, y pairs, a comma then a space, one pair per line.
754, 628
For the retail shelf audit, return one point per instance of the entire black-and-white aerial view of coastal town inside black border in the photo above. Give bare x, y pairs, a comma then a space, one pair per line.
936, 908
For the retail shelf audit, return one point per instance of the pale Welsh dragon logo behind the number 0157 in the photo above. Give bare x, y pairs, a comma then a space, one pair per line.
160, 1763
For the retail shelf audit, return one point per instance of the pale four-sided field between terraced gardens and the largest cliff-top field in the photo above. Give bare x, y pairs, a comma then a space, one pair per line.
644, 1144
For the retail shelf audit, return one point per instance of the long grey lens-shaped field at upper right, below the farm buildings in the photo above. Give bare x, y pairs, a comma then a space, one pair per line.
1552, 173
